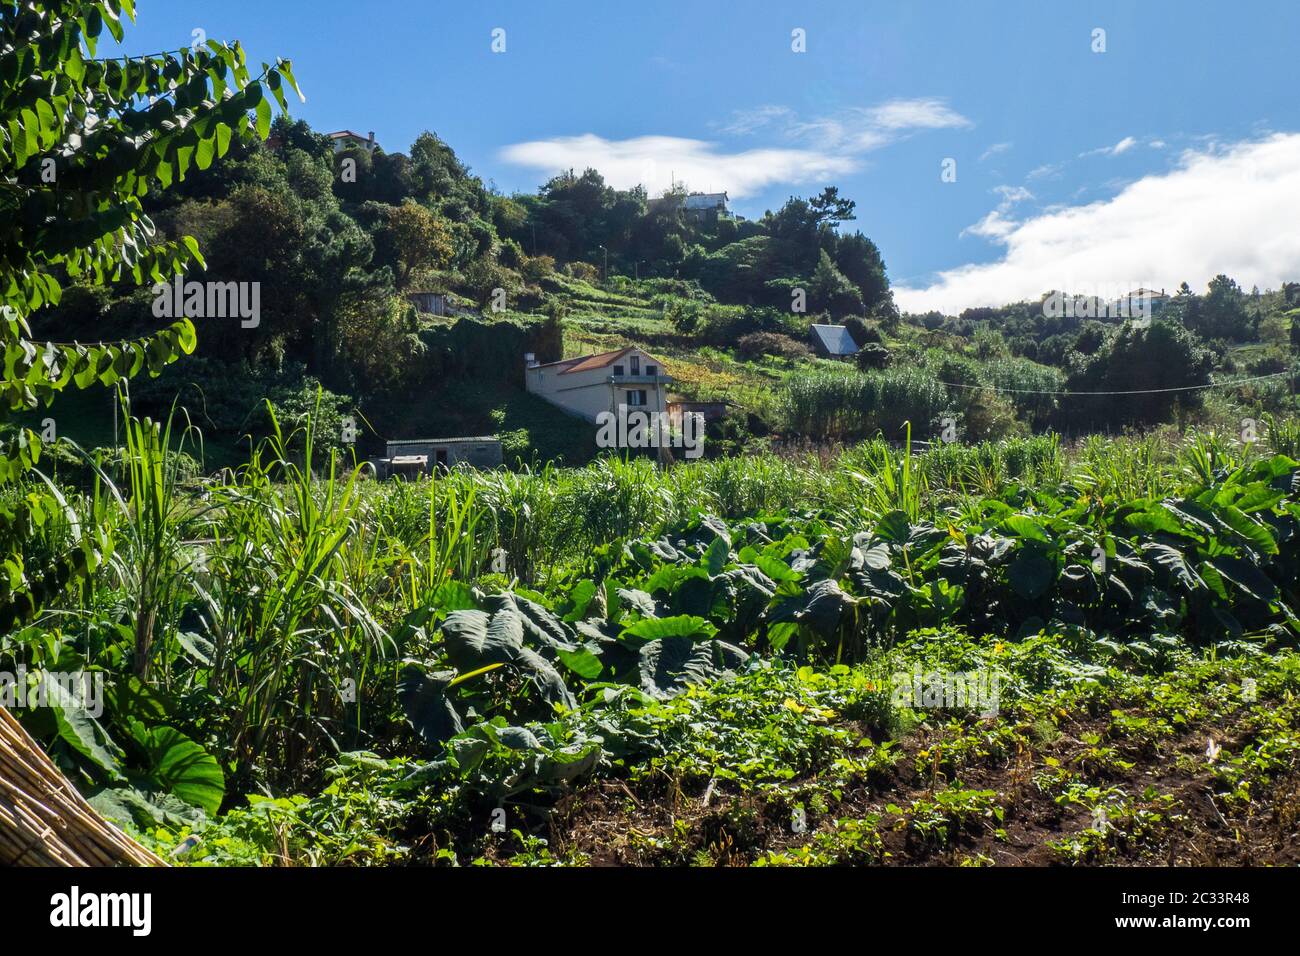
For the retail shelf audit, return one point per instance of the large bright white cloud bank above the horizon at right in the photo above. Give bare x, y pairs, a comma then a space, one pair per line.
1229, 210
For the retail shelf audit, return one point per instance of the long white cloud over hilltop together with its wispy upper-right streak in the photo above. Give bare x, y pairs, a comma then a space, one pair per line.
813, 150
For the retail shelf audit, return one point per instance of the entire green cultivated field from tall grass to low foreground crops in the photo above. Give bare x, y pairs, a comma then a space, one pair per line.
306, 667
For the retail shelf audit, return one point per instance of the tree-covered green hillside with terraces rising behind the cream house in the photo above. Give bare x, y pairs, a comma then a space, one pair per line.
723, 301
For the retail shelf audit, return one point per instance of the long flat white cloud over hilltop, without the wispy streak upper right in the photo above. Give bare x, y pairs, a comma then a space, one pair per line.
656, 162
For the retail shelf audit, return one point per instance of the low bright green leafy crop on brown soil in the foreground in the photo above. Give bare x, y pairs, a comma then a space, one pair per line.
830, 749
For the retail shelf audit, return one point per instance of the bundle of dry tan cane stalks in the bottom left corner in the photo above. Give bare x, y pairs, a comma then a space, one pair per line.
45, 821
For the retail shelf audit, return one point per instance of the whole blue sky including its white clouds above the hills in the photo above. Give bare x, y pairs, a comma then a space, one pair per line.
1171, 157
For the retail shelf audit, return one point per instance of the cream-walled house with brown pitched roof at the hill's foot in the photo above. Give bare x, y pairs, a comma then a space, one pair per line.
592, 384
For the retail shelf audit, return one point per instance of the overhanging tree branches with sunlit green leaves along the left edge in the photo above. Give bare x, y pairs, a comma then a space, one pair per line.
83, 141
